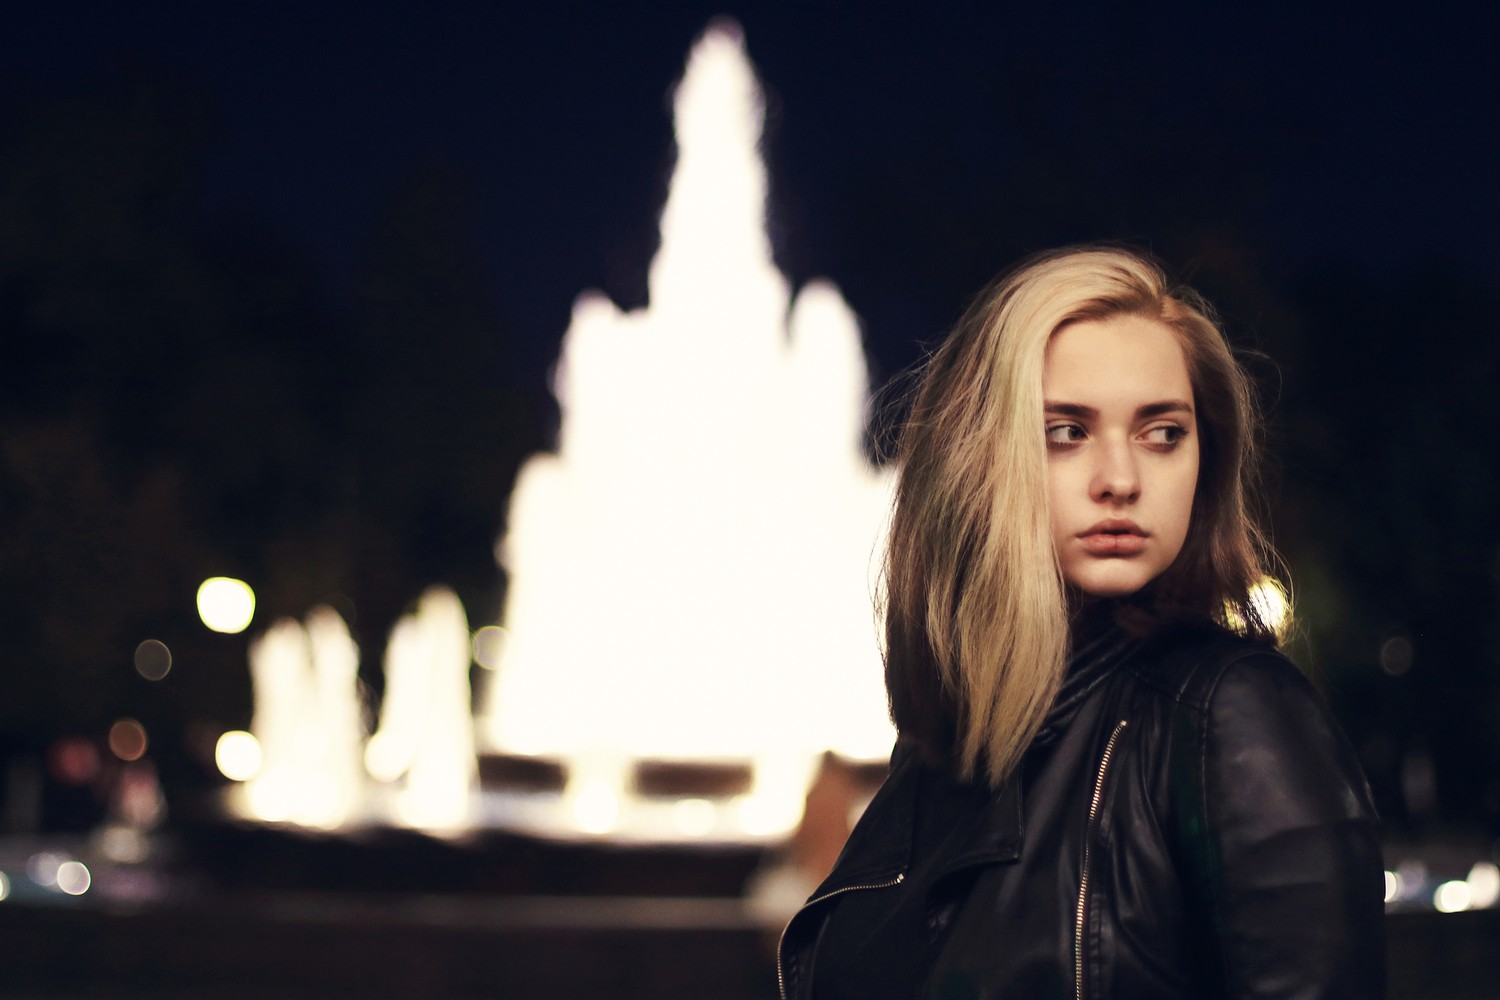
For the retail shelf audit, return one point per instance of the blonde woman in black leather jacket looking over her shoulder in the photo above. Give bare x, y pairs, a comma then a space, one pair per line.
1108, 780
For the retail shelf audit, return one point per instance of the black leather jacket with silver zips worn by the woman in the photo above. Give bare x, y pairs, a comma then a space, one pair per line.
1189, 824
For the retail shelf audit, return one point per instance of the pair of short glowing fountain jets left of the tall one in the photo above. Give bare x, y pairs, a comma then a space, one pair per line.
310, 764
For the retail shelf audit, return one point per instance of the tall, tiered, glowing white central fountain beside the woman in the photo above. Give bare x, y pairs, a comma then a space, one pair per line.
691, 570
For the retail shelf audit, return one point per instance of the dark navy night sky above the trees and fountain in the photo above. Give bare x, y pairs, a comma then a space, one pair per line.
902, 148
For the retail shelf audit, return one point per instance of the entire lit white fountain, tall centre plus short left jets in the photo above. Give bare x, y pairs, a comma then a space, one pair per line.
689, 572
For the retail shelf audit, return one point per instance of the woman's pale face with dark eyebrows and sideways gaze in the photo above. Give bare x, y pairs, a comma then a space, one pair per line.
1123, 452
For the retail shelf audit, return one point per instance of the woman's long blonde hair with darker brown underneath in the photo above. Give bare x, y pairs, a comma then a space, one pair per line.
976, 608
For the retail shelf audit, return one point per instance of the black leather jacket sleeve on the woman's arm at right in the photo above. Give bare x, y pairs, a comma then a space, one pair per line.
1286, 845
